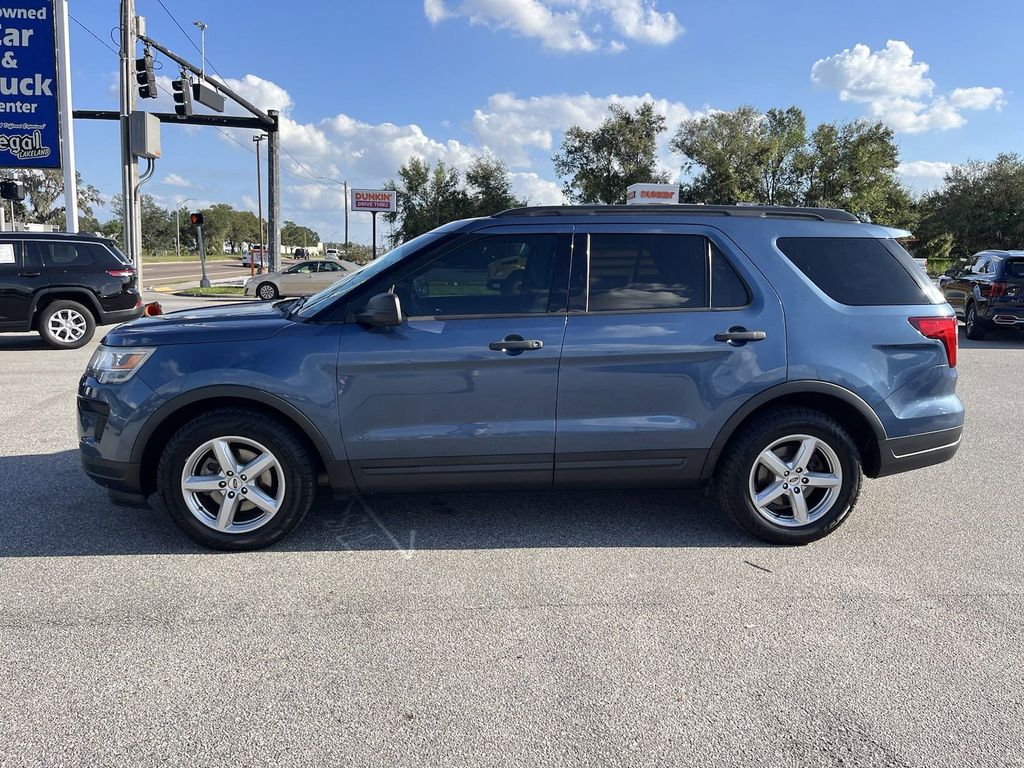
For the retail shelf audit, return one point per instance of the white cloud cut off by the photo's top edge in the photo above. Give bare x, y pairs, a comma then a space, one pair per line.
566, 25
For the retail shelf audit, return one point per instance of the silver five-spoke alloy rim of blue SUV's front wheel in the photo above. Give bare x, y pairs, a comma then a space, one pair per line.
233, 485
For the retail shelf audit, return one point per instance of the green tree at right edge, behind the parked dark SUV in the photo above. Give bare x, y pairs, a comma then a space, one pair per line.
980, 205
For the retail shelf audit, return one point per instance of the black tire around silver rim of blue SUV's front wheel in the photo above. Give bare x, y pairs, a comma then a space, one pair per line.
296, 470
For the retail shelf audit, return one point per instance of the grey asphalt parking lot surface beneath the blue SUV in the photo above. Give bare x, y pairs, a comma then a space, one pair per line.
570, 629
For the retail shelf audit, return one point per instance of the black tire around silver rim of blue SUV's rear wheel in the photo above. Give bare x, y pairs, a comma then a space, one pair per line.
742, 462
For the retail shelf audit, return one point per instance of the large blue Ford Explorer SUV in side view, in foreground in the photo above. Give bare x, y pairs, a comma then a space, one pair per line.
782, 353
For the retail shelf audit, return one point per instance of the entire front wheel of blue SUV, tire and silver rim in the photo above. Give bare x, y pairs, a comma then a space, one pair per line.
236, 480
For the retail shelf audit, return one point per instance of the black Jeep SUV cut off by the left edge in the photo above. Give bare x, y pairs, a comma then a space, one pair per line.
64, 286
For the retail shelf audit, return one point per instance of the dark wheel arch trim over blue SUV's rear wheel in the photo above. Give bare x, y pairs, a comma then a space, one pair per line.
847, 408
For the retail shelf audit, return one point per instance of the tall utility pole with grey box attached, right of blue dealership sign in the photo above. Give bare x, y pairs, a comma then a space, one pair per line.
132, 222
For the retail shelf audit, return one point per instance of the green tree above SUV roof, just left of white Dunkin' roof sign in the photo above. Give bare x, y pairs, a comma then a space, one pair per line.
600, 165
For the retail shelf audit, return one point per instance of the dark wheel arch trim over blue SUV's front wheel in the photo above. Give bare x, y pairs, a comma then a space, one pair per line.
170, 417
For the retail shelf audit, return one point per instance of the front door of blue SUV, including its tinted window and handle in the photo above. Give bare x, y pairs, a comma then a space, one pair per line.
463, 393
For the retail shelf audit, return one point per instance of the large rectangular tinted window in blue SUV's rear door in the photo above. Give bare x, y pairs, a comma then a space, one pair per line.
648, 272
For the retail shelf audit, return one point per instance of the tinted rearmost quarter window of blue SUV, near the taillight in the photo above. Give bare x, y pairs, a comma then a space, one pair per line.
859, 272
